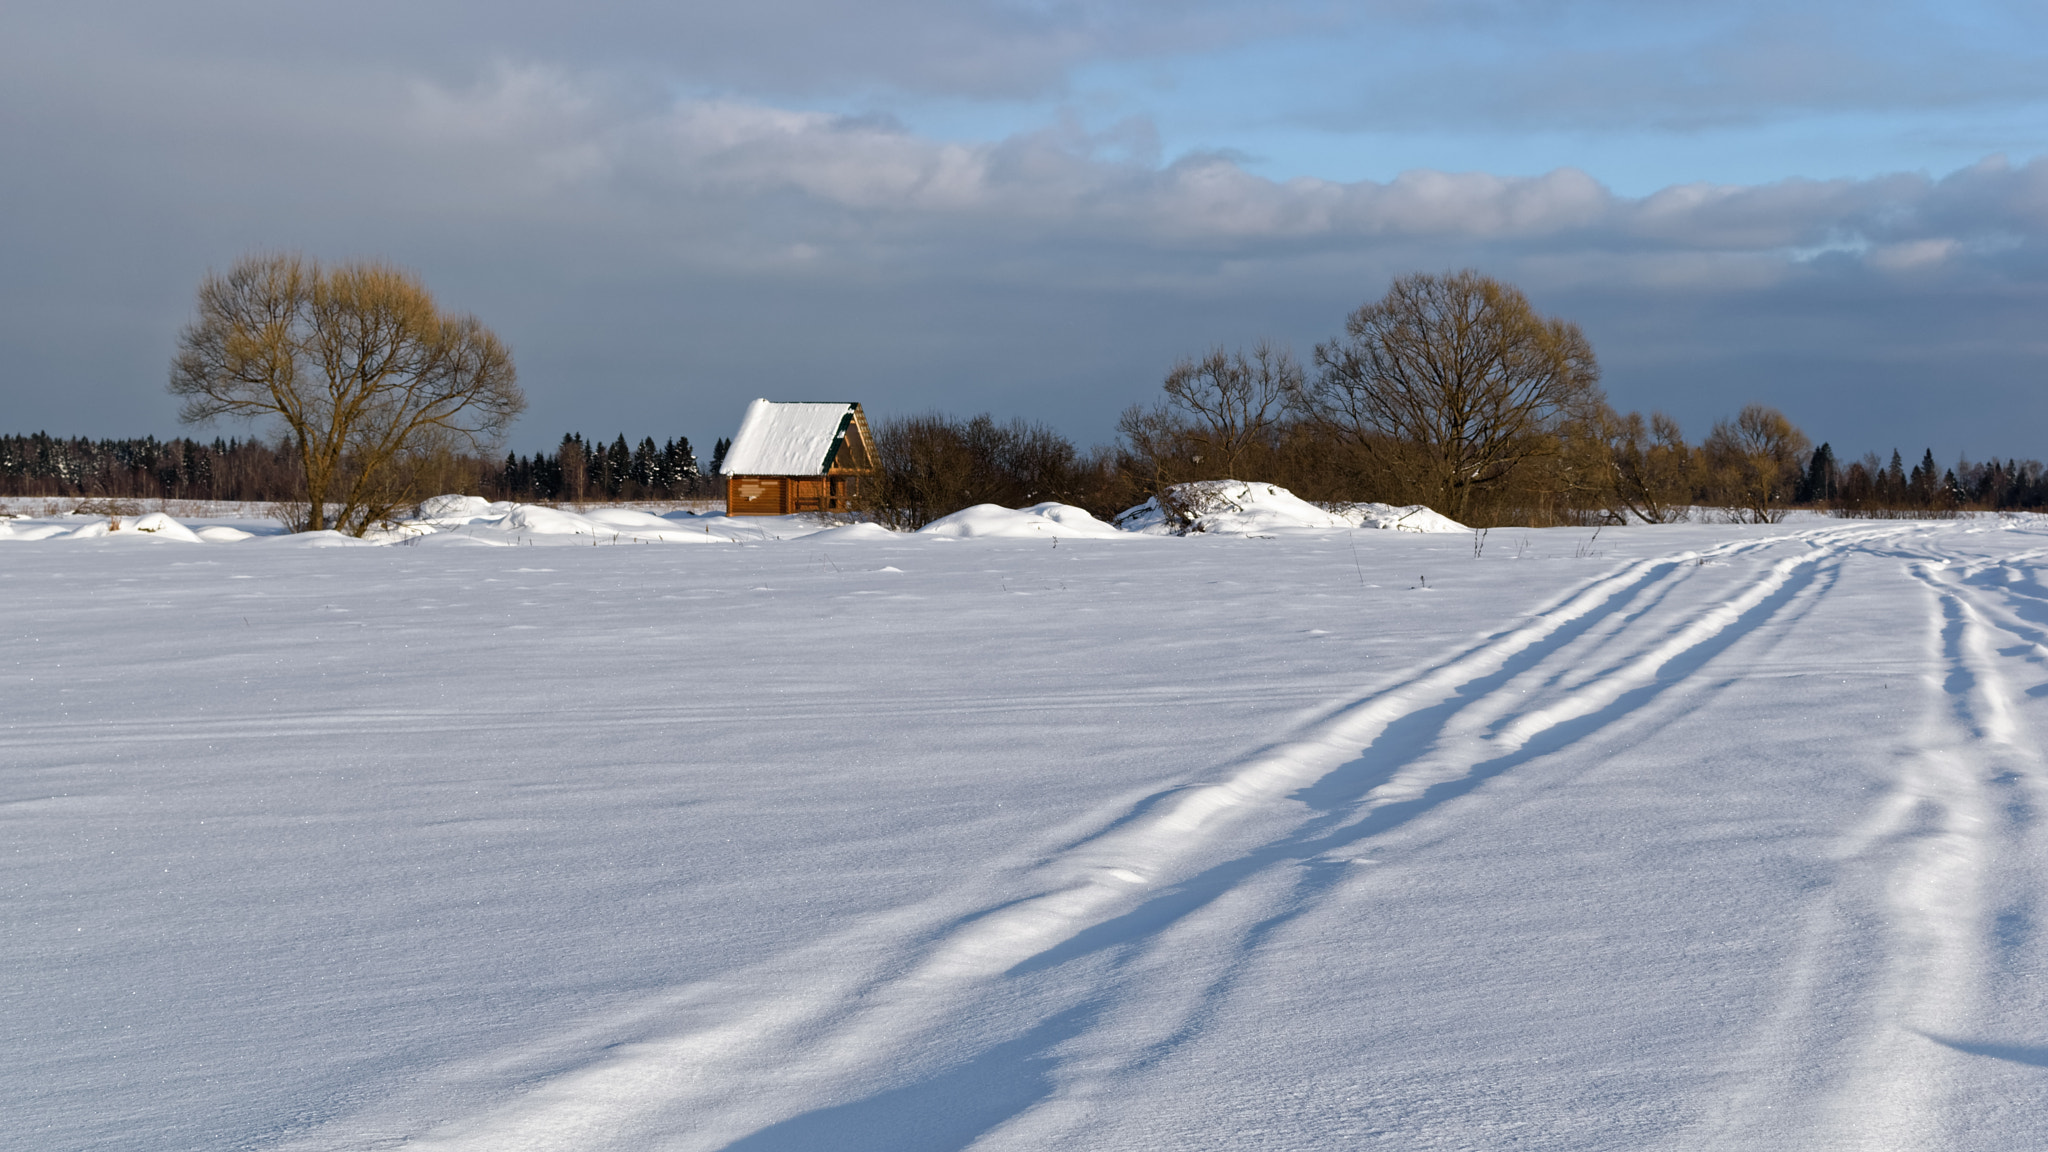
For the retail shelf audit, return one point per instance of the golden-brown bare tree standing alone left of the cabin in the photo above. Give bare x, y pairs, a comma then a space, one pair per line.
357, 366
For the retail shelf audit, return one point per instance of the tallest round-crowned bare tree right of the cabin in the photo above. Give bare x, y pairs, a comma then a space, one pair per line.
1459, 376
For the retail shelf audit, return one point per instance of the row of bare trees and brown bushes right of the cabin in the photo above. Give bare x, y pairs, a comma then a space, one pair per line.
1449, 393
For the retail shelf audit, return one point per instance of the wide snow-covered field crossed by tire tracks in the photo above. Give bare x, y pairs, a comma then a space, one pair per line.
1674, 837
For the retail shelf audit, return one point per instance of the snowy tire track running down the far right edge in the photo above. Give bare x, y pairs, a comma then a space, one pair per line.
1914, 893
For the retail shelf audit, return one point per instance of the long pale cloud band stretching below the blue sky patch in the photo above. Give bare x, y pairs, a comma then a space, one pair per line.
790, 171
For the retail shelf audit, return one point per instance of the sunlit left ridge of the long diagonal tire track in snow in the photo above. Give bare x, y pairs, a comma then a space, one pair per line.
790, 1034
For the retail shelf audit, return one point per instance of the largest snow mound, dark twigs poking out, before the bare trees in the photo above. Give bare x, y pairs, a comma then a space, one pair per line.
1238, 507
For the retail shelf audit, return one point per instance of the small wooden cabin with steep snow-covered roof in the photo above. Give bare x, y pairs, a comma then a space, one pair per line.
798, 458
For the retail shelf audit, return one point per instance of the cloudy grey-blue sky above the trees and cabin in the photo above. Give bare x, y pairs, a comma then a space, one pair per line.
1033, 208
